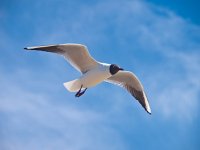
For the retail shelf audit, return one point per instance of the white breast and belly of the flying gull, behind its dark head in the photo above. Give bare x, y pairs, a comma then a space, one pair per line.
95, 76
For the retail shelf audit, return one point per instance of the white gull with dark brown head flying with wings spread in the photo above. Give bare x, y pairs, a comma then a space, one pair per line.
94, 72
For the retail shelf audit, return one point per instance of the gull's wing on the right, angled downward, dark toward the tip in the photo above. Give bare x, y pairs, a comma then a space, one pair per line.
130, 82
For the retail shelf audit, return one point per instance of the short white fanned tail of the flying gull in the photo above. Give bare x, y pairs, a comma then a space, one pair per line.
72, 86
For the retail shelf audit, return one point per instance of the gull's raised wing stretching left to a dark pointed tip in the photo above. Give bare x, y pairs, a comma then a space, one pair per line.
76, 54
